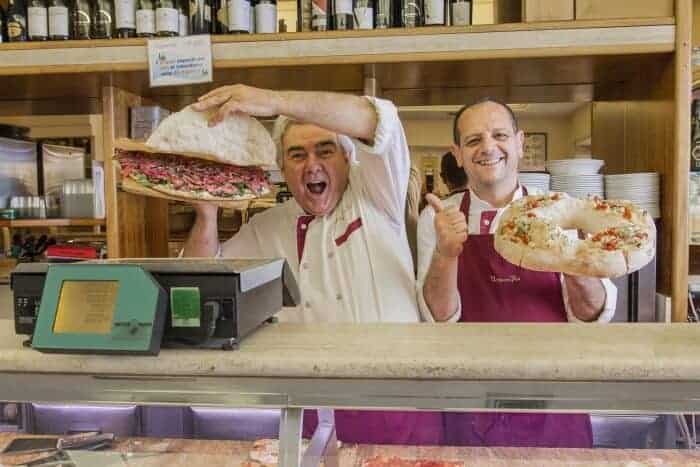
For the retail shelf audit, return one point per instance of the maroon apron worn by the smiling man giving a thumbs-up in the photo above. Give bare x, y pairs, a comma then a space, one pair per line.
493, 290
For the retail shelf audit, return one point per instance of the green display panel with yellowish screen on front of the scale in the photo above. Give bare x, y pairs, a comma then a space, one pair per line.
100, 309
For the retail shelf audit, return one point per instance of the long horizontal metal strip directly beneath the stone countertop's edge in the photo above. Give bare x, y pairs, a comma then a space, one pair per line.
401, 394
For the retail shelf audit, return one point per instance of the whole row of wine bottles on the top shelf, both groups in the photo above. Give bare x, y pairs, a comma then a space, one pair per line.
40, 20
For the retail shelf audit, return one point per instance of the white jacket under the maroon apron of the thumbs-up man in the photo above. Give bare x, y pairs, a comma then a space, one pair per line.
427, 240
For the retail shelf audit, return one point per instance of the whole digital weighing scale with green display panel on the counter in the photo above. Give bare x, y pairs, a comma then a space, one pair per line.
134, 306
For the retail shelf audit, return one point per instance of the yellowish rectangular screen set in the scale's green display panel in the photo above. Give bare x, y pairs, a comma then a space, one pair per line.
86, 307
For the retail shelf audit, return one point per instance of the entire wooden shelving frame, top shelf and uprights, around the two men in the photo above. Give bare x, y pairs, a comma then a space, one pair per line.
636, 73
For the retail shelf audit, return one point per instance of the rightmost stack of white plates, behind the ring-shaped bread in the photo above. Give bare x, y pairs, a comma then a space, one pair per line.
643, 189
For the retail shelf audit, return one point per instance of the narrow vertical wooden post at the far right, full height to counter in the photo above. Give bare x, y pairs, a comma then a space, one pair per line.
679, 182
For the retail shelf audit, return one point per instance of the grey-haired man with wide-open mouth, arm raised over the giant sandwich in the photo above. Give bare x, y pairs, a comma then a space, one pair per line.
346, 161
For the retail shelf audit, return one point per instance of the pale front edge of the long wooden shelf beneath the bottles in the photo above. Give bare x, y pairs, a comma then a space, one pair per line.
342, 47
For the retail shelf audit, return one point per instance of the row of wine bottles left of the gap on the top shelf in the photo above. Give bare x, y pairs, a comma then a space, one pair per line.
40, 20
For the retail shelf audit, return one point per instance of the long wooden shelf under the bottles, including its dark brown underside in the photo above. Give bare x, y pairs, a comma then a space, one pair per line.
536, 62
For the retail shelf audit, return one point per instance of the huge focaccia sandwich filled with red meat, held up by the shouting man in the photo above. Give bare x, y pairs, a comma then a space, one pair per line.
186, 160
